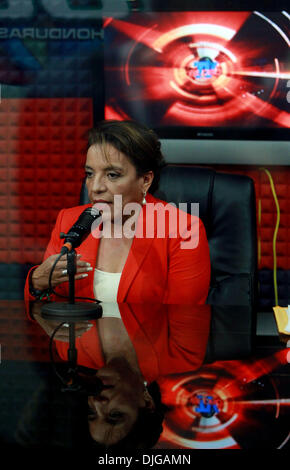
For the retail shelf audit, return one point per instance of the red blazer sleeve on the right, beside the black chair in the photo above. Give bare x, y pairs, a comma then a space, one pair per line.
188, 266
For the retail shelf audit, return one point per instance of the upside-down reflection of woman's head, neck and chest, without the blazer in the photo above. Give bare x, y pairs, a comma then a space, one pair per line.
125, 407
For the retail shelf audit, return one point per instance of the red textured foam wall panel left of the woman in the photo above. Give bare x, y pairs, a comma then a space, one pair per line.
42, 153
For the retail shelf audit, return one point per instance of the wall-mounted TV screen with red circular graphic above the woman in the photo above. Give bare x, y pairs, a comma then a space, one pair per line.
196, 75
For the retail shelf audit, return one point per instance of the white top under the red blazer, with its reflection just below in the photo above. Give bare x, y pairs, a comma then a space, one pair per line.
105, 289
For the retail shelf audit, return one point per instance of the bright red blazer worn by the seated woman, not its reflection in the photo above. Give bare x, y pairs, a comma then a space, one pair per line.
156, 270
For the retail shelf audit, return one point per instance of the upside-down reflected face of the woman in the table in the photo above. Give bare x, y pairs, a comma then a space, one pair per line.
113, 412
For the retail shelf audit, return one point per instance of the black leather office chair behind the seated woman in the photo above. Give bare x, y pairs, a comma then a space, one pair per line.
228, 210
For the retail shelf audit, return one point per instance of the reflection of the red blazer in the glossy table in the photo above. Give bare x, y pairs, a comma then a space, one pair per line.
167, 339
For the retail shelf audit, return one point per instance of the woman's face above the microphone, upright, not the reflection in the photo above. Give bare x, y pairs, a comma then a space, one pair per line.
110, 174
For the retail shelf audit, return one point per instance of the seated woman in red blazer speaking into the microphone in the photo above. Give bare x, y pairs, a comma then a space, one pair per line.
171, 264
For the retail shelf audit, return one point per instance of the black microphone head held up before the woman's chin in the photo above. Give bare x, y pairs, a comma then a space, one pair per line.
80, 230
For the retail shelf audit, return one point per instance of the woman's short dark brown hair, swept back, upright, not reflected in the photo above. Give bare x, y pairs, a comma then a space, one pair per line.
139, 143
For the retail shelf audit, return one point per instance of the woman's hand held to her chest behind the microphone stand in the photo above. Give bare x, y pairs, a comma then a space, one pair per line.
40, 275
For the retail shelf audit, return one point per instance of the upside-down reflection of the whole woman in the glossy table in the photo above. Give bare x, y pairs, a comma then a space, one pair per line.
151, 341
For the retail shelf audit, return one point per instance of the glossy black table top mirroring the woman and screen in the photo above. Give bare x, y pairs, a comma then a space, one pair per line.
215, 385
